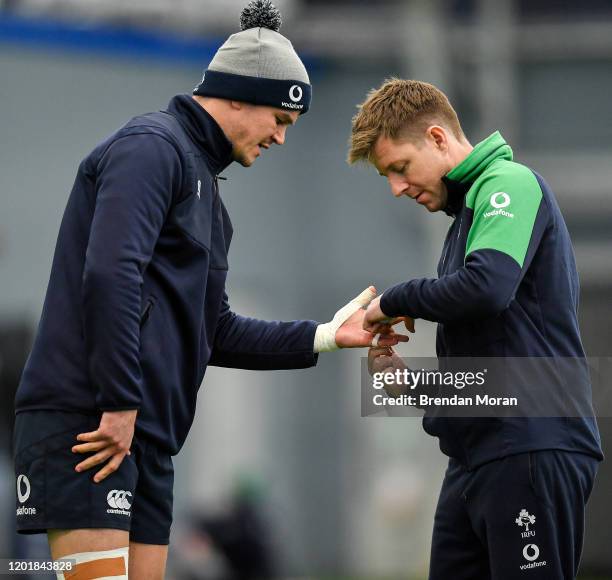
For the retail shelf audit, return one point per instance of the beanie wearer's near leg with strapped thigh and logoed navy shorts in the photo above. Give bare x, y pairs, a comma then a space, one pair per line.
81, 518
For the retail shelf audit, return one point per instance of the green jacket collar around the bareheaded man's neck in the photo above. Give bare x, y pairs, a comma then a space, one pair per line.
459, 179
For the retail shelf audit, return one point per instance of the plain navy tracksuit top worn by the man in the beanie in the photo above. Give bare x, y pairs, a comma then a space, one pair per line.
136, 306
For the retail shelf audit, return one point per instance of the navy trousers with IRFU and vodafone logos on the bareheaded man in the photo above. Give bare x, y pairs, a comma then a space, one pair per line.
517, 517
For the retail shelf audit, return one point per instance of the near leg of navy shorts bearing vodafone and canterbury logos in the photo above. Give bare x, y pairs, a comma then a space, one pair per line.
51, 495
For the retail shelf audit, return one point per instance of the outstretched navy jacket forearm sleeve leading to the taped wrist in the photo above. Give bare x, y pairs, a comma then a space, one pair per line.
248, 343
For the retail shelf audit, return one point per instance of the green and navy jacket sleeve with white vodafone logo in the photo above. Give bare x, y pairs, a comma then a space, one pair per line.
509, 220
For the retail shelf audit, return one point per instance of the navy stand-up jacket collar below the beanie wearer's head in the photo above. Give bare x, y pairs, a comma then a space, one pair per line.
204, 131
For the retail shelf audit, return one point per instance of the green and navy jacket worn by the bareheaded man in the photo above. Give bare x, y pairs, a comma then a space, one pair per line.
507, 286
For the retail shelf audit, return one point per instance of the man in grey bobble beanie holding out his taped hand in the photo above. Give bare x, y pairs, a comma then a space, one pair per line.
136, 309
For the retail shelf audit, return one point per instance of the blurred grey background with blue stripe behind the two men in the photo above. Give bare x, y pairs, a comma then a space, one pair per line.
323, 492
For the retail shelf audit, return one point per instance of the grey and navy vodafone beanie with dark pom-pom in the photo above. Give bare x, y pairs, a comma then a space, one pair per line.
258, 65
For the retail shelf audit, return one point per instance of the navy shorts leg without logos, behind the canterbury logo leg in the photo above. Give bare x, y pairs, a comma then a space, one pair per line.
152, 506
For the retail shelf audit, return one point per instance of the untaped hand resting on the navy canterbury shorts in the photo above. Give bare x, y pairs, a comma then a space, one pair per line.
111, 442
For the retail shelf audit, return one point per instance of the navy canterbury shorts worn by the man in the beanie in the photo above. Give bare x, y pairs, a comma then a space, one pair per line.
52, 495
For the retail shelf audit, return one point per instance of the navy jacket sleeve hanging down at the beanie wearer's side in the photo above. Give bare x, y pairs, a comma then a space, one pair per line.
136, 178
